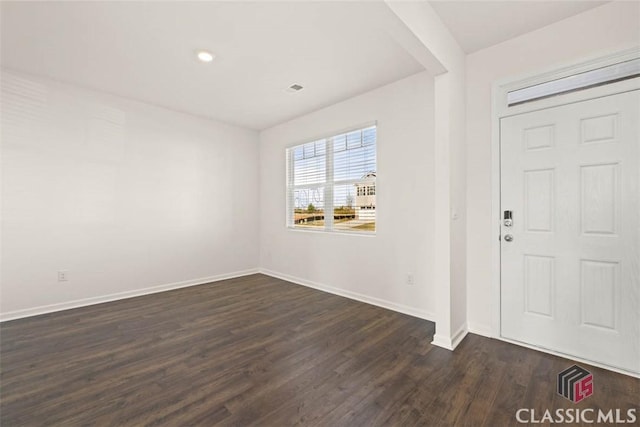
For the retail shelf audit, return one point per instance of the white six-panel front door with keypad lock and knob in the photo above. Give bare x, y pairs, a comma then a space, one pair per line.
570, 274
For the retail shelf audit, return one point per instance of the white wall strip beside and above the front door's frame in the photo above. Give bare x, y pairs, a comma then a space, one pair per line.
601, 30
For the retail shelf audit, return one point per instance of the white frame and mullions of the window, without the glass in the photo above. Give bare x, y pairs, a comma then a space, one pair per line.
329, 183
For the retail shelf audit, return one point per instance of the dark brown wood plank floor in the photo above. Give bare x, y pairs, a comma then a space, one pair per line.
262, 351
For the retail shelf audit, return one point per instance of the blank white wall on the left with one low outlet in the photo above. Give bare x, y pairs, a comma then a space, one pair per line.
123, 195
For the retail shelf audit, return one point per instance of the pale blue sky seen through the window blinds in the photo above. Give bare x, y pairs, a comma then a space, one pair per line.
354, 156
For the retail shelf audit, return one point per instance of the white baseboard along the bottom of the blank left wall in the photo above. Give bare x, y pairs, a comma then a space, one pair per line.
28, 312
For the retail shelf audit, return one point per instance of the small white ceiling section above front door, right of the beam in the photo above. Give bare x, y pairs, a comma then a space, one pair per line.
480, 24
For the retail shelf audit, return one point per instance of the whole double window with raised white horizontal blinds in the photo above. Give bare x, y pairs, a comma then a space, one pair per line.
331, 183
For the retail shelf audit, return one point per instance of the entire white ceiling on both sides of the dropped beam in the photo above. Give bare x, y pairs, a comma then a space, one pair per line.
145, 50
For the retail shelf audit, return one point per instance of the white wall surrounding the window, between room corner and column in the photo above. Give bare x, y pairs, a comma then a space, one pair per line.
370, 268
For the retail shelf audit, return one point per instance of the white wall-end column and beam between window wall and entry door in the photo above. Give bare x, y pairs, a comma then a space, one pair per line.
443, 57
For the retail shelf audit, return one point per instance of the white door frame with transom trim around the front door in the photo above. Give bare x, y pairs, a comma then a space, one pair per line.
499, 110
